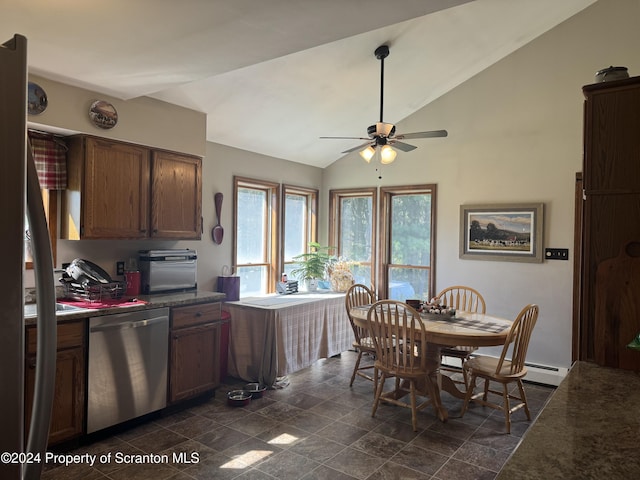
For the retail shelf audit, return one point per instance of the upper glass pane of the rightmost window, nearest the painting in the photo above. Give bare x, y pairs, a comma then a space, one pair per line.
411, 229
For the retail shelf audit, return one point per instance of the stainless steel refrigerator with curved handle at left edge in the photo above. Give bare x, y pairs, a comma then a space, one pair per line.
22, 448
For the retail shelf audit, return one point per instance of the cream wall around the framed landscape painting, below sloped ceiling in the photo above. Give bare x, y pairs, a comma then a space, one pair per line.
515, 135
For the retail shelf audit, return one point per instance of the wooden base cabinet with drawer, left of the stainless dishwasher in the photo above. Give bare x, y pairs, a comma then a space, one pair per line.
67, 416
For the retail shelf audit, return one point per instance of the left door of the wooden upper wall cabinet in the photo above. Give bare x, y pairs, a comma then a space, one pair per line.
116, 191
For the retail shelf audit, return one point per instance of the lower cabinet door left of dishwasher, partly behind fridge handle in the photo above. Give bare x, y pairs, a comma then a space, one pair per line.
68, 399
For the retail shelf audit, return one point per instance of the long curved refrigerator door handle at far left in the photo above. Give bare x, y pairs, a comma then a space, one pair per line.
47, 341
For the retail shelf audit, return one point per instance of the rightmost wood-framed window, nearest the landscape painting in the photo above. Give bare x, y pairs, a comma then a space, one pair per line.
408, 239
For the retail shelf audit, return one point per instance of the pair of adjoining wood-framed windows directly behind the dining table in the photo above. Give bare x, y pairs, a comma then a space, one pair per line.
400, 263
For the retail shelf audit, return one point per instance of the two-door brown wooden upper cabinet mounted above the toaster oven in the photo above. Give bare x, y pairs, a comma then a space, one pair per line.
121, 190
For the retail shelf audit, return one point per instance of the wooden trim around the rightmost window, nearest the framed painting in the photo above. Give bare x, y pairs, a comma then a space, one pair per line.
387, 193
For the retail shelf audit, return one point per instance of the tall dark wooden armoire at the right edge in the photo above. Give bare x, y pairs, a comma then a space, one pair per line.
609, 290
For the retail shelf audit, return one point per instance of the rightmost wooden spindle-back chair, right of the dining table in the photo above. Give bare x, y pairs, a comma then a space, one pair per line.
507, 369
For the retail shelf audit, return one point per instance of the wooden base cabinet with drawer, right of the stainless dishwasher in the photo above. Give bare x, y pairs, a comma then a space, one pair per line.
194, 350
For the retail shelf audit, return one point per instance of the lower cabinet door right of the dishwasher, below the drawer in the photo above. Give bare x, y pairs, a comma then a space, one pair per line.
195, 361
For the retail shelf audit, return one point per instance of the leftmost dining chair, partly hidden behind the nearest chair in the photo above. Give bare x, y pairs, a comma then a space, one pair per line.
359, 294
